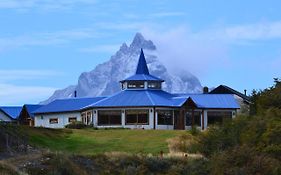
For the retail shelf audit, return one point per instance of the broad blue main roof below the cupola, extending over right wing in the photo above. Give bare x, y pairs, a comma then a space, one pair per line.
144, 98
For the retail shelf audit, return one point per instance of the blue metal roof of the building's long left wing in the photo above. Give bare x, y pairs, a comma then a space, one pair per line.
67, 105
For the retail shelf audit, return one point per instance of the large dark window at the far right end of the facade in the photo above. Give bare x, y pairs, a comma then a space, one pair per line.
218, 116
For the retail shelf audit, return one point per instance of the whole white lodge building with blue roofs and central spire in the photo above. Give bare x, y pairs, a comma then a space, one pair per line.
140, 104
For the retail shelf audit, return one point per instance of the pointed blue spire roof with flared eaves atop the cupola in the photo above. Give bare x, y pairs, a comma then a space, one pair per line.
142, 73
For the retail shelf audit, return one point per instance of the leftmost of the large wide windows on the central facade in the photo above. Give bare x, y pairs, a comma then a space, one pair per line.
109, 117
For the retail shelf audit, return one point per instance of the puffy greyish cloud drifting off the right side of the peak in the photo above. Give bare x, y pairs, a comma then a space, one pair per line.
180, 49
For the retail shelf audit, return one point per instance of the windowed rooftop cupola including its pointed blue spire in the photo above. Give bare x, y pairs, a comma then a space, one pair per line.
142, 79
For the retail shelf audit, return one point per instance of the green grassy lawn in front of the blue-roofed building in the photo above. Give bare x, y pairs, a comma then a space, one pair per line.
90, 141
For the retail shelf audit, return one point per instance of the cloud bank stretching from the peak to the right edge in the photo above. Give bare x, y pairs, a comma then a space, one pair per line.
201, 52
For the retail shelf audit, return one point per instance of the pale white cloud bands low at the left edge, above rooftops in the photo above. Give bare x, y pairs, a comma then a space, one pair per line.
12, 92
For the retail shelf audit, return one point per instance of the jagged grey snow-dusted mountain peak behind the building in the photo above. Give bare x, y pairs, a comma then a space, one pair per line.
104, 79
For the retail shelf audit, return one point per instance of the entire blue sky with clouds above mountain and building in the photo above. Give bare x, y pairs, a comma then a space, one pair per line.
46, 44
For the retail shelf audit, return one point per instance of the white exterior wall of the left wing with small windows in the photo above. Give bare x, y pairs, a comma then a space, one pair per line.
43, 120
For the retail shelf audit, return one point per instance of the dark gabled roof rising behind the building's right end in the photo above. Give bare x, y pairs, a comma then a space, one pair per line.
223, 89
